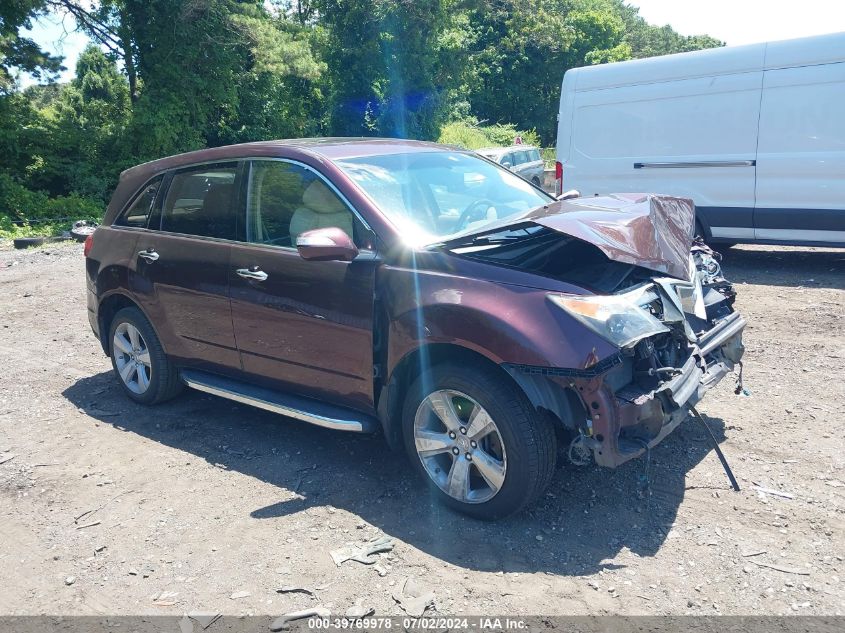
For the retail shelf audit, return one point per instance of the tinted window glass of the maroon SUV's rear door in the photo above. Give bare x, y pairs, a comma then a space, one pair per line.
200, 201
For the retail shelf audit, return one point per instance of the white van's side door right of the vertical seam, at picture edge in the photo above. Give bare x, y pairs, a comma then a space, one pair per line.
801, 157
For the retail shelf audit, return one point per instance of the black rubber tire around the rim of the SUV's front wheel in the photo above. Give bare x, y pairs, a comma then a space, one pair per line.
529, 438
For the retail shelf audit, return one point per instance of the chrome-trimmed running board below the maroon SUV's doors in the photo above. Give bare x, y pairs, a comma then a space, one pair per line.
304, 409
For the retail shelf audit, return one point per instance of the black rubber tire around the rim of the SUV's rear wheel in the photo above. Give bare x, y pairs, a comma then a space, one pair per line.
164, 381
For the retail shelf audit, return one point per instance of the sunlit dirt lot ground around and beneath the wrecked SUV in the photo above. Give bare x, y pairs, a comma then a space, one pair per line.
221, 505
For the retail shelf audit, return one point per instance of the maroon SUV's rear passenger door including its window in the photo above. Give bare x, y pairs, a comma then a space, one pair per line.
183, 264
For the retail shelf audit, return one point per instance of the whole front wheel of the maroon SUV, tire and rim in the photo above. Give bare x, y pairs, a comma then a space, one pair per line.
477, 440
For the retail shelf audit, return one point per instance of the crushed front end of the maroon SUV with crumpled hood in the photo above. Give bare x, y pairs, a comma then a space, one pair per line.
646, 287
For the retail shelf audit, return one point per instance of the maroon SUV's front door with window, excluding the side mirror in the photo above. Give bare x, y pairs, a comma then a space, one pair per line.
304, 327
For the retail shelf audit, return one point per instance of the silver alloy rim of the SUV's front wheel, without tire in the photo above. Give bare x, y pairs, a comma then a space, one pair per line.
460, 446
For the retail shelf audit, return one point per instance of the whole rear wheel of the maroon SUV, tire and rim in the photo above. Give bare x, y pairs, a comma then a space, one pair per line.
143, 369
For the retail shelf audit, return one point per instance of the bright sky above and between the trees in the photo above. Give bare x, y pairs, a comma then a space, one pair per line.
732, 21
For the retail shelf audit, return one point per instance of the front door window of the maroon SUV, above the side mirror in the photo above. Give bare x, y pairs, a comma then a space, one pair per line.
284, 200
